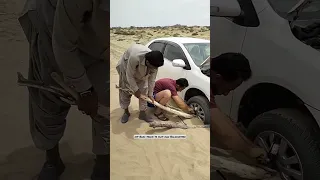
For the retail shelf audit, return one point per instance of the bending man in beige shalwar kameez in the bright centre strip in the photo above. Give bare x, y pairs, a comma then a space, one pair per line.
137, 71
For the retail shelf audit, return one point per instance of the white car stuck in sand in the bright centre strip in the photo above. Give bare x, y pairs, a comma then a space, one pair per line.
186, 58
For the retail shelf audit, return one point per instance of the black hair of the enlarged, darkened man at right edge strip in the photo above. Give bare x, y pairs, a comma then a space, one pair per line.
231, 66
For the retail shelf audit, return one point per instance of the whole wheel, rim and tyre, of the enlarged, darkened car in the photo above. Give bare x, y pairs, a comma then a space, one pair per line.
295, 139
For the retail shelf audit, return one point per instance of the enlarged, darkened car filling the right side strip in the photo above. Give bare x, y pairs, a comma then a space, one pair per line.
280, 105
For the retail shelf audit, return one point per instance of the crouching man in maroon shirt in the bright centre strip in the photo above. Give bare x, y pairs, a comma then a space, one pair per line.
167, 88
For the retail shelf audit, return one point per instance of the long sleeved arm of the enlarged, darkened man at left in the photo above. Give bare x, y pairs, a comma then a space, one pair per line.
67, 25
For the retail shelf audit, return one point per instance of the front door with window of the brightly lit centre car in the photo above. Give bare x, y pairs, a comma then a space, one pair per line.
173, 51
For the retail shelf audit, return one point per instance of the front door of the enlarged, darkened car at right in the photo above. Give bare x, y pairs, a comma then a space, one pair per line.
227, 34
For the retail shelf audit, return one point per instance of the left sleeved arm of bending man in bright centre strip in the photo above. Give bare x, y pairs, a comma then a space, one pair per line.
133, 62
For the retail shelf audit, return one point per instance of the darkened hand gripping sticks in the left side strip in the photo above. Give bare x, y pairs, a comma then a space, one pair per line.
88, 103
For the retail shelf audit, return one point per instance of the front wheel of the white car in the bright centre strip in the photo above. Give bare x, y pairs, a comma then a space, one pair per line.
201, 105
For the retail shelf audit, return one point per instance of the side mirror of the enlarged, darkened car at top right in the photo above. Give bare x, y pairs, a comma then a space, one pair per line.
225, 8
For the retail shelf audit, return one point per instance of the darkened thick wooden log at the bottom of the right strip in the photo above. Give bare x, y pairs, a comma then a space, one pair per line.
232, 166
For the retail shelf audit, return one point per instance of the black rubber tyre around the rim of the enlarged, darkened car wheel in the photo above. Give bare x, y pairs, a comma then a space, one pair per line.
300, 130
